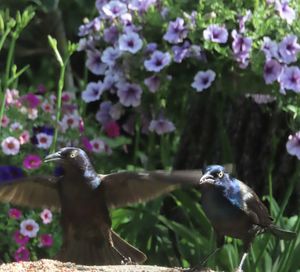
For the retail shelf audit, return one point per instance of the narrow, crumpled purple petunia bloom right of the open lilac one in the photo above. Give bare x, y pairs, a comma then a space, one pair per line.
241, 47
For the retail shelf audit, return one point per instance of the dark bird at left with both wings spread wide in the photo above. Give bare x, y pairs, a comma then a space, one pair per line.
84, 198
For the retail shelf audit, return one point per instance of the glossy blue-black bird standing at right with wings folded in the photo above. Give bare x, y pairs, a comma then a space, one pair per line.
235, 210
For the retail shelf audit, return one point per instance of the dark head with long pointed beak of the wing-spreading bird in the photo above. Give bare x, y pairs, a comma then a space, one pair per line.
69, 157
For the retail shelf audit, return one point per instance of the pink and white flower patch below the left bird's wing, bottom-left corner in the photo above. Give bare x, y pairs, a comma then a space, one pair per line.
29, 235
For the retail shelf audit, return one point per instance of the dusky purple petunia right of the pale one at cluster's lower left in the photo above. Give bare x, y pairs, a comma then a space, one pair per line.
130, 94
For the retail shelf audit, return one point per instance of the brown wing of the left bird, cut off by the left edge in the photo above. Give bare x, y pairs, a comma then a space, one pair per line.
33, 192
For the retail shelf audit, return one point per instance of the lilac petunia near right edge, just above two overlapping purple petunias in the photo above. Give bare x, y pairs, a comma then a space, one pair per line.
288, 49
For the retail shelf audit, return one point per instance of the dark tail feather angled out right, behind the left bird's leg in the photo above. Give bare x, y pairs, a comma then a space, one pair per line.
128, 250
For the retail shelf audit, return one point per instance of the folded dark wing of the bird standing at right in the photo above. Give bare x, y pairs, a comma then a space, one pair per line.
254, 207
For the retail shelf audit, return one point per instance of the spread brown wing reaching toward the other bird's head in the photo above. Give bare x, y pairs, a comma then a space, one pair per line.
124, 188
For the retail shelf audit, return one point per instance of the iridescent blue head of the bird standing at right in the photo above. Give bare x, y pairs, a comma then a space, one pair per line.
214, 175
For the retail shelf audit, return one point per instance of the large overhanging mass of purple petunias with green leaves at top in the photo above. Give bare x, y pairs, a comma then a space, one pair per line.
133, 47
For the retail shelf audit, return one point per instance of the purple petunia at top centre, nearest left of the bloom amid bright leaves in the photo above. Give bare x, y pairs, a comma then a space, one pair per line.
176, 31
